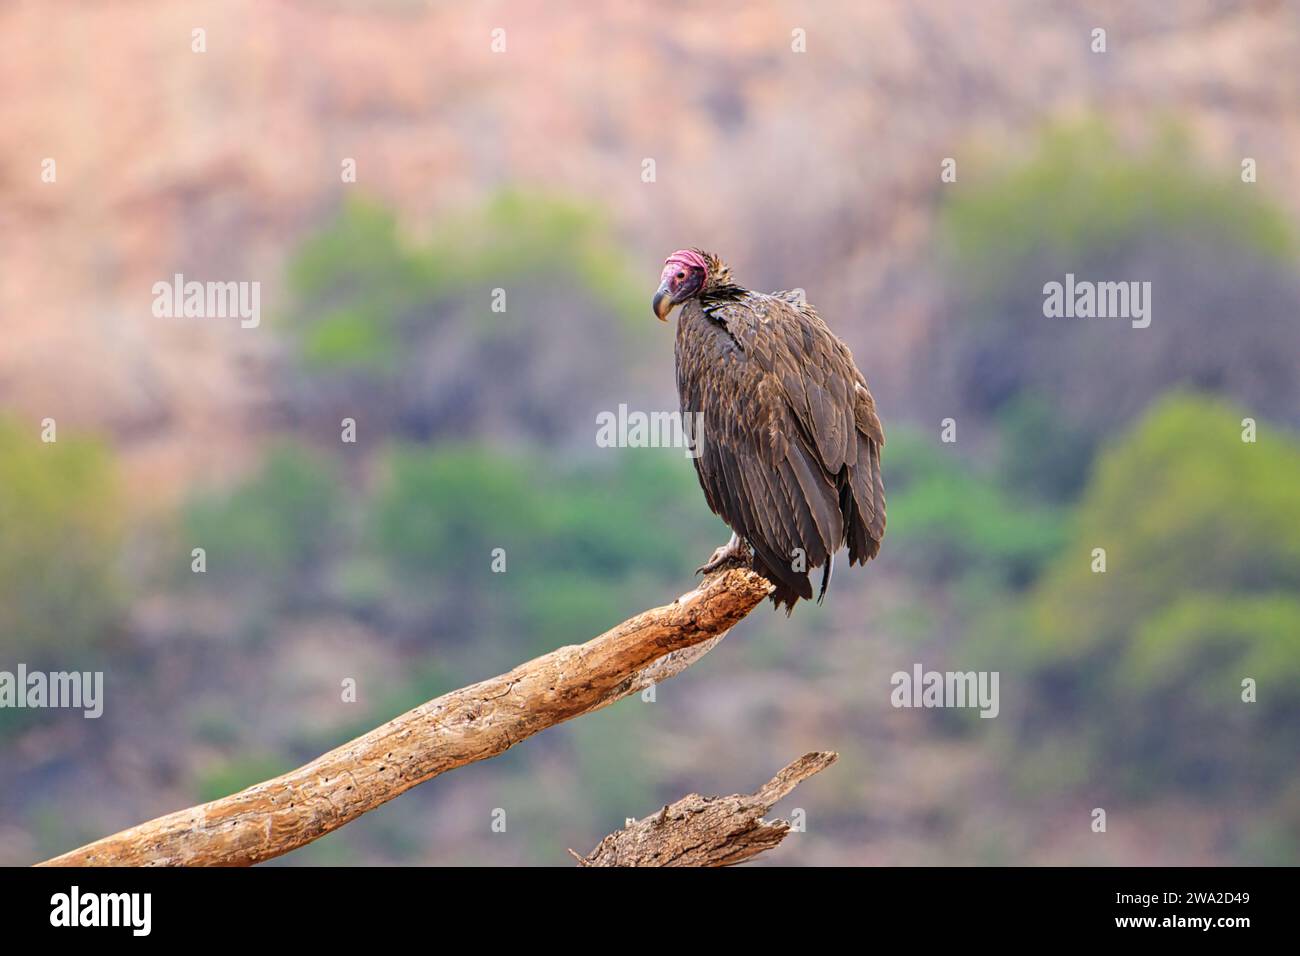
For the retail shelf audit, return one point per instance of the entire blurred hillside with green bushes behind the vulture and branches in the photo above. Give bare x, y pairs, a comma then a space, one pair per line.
476, 430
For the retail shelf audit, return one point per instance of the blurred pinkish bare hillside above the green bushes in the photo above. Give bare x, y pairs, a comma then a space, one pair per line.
814, 170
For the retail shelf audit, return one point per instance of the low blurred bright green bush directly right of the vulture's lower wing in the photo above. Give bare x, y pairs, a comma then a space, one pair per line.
947, 521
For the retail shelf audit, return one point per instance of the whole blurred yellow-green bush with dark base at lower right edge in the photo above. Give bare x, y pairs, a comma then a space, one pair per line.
1203, 546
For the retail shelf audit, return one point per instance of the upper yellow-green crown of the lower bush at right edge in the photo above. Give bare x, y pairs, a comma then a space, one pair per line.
1184, 507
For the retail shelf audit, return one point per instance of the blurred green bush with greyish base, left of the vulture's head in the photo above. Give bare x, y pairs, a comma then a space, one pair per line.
510, 321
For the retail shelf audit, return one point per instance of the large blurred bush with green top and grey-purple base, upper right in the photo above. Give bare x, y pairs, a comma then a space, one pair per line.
1220, 257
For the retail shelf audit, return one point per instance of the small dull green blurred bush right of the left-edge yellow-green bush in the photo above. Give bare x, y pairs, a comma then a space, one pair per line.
276, 526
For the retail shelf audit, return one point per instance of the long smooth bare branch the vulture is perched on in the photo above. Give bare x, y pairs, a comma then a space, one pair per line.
461, 728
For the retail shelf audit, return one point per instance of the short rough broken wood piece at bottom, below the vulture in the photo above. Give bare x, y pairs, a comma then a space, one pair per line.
708, 832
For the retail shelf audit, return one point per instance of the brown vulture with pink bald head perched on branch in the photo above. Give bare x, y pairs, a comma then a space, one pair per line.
782, 426
